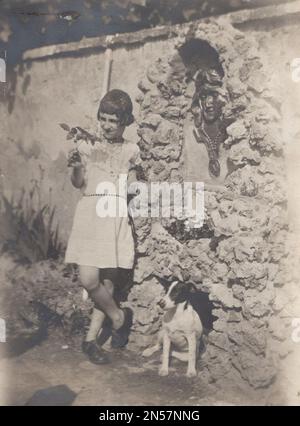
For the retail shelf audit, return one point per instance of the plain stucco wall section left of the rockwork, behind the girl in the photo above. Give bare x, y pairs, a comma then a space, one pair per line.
62, 90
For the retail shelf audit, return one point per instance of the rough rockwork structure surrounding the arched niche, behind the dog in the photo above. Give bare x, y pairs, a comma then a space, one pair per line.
237, 256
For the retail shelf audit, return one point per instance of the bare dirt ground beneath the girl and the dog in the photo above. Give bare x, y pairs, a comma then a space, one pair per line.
128, 380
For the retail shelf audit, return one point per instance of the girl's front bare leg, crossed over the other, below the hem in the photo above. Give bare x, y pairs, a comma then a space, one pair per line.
103, 300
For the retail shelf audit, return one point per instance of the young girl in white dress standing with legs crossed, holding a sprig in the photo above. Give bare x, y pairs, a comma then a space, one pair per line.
101, 245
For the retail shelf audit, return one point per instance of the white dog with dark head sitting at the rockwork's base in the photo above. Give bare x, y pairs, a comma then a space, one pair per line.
181, 327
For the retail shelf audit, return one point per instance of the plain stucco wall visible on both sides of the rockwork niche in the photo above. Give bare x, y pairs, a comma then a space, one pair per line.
57, 84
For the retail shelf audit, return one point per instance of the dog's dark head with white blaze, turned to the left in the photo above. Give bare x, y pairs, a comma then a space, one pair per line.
178, 292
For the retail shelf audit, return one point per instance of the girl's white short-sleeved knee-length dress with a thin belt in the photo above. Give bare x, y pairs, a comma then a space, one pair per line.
103, 242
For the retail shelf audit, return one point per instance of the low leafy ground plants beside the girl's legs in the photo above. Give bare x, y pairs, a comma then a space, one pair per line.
48, 293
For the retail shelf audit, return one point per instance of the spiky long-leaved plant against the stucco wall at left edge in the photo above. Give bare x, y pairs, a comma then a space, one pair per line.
27, 227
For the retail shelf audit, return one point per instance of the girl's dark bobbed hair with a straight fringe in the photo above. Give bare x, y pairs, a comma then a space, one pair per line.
119, 103
